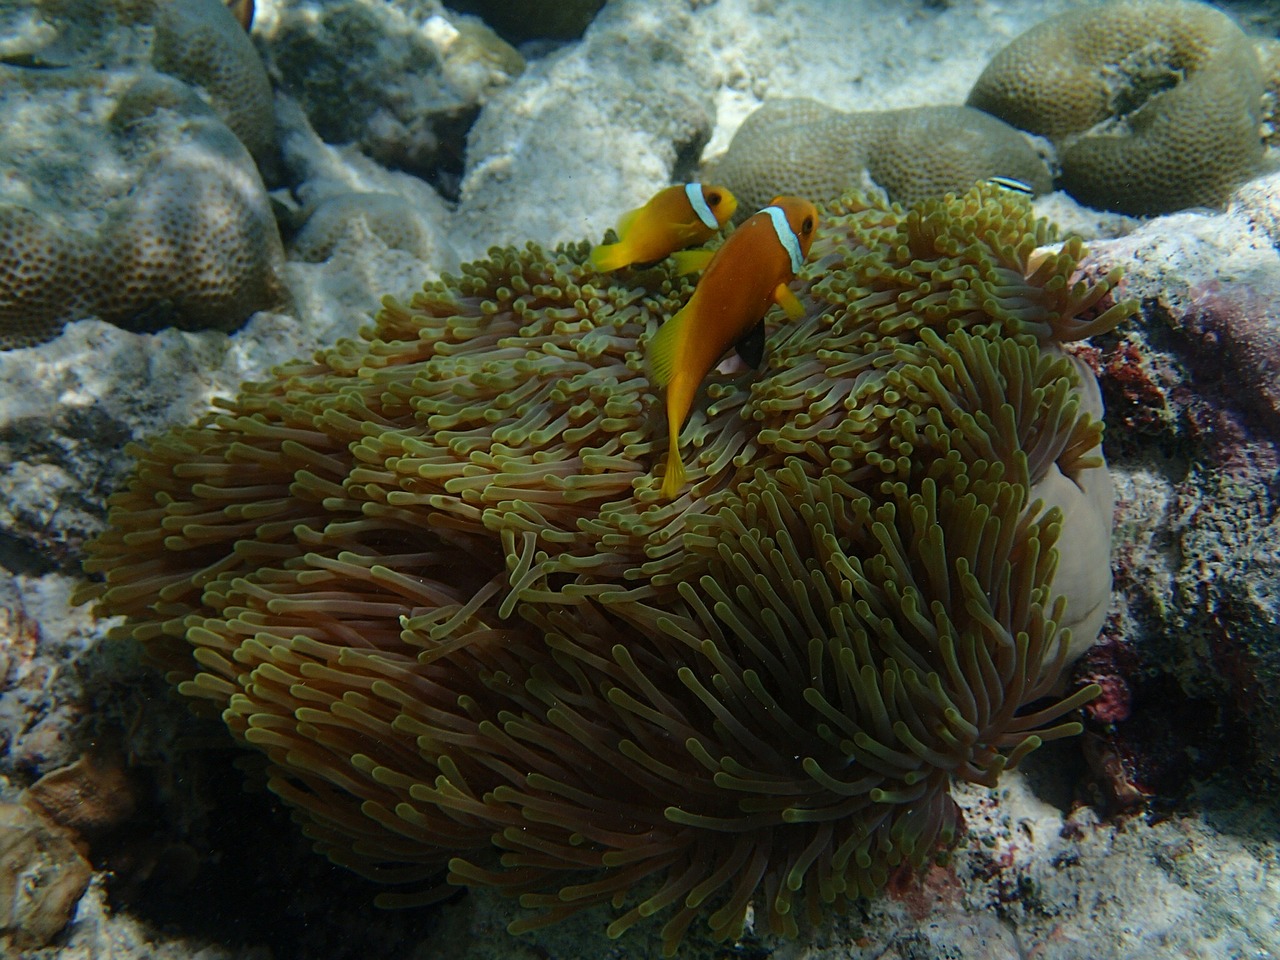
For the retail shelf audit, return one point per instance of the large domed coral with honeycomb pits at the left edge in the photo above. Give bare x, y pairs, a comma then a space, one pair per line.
190, 241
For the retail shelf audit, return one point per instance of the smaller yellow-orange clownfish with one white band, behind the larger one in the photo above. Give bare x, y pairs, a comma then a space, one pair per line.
674, 218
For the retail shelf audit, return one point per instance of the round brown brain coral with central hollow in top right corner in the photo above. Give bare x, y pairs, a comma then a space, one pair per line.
1154, 106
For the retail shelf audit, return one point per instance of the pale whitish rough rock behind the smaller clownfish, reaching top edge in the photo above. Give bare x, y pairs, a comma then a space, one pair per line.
568, 148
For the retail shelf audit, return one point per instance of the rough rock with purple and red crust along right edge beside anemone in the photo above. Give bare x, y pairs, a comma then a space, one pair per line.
1199, 561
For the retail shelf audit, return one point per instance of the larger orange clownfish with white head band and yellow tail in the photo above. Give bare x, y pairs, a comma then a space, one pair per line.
744, 278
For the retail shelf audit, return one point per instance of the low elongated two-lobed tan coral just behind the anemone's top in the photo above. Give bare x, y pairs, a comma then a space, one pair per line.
811, 150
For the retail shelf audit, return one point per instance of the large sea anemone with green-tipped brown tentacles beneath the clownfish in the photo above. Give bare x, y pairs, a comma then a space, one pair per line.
429, 579
